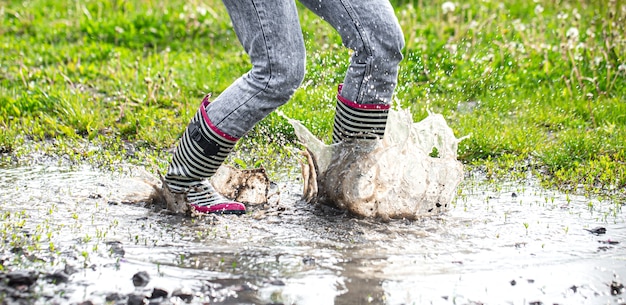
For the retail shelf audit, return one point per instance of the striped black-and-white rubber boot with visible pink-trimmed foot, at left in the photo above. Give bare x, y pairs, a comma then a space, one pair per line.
200, 152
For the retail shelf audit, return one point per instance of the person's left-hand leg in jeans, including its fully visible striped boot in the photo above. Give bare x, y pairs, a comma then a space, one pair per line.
270, 33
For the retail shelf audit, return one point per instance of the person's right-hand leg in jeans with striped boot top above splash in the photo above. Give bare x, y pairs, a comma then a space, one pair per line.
371, 29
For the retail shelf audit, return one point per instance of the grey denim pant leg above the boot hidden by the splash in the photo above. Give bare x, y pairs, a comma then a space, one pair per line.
371, 29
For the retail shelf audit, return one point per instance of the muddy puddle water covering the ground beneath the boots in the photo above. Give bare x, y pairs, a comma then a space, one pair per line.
504, 244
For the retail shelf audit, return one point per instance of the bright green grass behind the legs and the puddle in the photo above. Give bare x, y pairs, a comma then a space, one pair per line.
533, 95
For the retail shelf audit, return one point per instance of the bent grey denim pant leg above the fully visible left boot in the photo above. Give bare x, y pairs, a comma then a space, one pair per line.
270, 33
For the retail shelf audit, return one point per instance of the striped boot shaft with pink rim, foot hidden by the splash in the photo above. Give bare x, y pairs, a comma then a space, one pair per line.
358, 121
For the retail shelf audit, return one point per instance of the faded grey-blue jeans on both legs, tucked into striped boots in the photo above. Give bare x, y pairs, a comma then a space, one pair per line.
270, 33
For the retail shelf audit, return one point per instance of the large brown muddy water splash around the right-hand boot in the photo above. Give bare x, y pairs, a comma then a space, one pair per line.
412, 172
